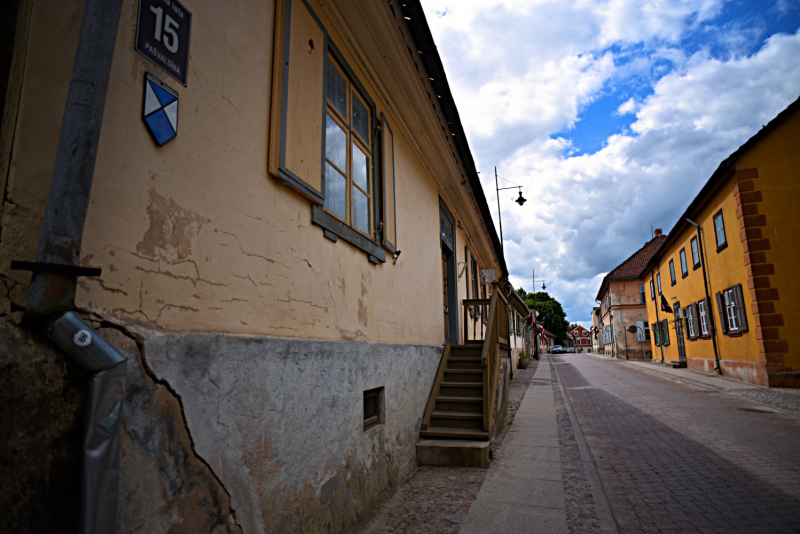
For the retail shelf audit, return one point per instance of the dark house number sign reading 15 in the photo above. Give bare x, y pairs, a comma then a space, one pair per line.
163, 34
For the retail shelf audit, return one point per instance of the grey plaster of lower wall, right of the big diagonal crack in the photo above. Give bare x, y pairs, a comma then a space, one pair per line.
280, 422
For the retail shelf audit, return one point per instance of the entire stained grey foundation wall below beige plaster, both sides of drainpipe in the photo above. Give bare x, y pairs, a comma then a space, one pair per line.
221, 433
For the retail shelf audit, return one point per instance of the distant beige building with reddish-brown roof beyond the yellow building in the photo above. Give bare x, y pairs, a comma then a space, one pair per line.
623, 306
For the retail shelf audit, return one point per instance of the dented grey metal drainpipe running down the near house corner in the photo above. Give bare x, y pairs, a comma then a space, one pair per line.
52, 291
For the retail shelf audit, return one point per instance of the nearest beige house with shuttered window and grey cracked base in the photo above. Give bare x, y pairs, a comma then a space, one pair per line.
282, 275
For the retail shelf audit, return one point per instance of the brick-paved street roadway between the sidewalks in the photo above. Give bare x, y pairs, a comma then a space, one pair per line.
675, 456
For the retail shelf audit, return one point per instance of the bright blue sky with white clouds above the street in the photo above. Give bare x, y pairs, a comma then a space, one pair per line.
611, 114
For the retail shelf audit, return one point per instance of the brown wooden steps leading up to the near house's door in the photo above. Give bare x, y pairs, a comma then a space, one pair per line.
457, 408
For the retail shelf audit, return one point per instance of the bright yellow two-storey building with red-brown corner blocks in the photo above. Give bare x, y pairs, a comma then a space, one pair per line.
727, 271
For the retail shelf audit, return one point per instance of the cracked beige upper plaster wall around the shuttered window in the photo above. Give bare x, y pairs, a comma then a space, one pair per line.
196, 235
